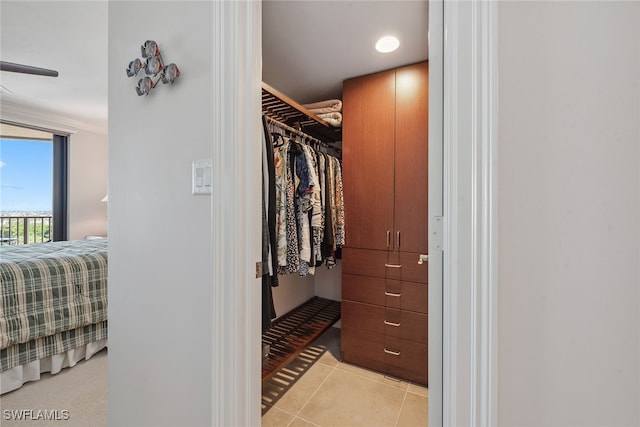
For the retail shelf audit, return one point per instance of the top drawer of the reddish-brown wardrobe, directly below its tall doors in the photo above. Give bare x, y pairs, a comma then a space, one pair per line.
384, 264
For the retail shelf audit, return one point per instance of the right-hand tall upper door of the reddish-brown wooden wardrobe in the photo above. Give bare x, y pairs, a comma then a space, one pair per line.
411, 151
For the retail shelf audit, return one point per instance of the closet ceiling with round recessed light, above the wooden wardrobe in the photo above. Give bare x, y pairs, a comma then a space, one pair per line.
310, 47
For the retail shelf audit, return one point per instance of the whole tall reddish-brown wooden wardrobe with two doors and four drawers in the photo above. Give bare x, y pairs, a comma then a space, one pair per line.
384, 166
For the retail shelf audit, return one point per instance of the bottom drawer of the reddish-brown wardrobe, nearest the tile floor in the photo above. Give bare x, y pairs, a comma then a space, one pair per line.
402, 358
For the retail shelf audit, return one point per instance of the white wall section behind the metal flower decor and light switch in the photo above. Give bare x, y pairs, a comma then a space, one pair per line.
160, 255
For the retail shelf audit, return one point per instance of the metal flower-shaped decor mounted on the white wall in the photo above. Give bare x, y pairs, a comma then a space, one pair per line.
153, 66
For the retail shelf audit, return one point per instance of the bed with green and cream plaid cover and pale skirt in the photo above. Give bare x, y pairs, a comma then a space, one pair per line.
53, 307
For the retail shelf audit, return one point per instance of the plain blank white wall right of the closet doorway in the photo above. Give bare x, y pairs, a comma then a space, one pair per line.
569, 214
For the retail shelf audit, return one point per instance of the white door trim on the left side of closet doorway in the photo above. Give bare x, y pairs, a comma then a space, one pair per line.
236, 224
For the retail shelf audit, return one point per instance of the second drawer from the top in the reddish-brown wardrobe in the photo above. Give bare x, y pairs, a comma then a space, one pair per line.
398, 294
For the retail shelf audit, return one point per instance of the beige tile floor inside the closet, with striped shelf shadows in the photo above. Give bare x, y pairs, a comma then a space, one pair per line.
319, 390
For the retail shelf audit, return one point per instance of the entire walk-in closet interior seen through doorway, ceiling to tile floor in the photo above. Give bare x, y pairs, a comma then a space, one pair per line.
345, 261
